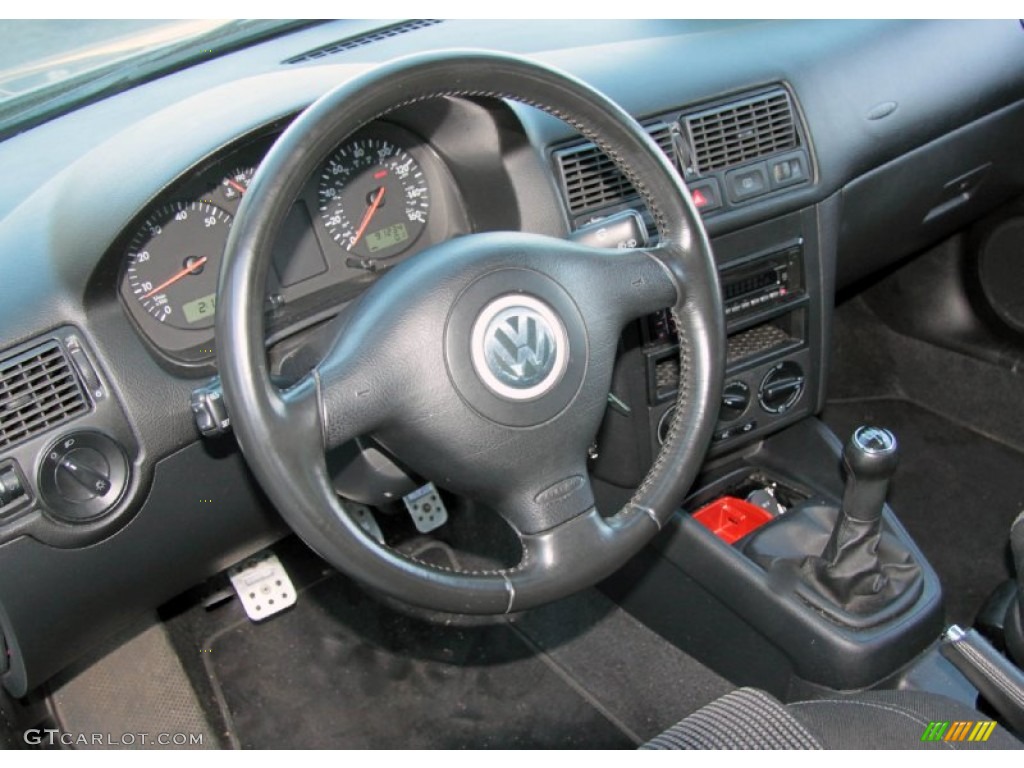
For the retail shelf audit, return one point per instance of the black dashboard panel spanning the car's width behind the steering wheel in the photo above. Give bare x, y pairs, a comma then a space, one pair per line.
77, 190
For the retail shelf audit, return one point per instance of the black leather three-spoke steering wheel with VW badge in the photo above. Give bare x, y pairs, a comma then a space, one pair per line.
484, 363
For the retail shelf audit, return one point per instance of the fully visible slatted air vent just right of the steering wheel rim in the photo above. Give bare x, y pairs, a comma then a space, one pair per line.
741, 132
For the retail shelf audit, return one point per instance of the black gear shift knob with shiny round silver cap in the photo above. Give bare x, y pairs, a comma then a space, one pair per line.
871, 457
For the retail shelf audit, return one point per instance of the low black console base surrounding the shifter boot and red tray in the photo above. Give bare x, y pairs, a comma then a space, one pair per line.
747, 610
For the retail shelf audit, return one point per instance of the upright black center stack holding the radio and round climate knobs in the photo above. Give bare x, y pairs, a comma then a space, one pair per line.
776, 278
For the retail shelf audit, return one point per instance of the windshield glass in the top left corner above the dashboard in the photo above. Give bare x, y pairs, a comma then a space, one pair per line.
49, 67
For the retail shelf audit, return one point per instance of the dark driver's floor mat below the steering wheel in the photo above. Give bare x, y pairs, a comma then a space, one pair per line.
343, 670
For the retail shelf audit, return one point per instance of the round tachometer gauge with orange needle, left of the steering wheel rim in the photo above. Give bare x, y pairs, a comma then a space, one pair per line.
174, 263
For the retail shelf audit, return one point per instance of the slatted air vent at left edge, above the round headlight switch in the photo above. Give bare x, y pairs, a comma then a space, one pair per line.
38, 391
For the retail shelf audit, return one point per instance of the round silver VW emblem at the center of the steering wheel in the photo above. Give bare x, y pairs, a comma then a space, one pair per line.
520, 348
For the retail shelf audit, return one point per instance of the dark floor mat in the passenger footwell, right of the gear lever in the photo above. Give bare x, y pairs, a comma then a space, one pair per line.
956, 491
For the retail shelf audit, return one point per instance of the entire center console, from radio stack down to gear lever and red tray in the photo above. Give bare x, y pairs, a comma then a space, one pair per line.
832, 593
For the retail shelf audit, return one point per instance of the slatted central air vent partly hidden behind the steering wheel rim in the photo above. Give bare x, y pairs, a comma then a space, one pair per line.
591, 181
